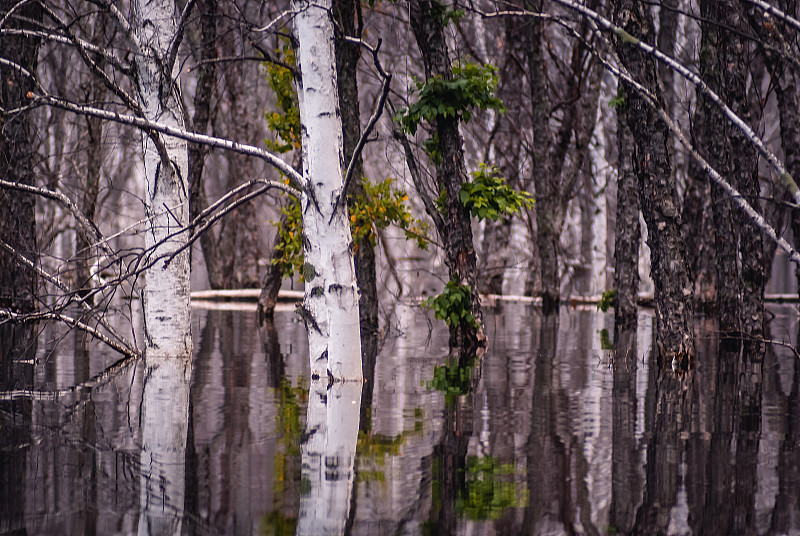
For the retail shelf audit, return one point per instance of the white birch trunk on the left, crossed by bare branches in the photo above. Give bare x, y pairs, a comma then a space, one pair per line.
166, 292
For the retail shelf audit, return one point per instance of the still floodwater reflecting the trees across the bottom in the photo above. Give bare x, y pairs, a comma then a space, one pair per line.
559, 429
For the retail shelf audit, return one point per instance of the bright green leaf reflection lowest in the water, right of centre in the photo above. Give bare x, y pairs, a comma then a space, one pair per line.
489, 489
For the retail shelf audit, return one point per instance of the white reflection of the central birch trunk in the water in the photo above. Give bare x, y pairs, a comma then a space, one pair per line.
329, 453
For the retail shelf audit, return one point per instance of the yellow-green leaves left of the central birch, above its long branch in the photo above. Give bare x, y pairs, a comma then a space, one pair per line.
284, 121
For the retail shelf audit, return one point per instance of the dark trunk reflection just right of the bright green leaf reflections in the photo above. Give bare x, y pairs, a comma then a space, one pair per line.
549, 459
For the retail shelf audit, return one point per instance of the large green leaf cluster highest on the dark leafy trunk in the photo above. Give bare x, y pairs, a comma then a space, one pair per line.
471, 87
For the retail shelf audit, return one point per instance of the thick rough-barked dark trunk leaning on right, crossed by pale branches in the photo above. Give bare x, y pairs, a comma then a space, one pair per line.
659, 197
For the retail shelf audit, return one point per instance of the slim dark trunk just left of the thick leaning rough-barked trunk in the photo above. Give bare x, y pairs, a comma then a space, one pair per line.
628, 234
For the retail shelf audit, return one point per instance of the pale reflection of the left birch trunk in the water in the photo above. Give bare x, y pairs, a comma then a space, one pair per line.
164, 418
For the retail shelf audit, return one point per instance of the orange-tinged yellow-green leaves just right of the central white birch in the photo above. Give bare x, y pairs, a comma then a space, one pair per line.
380, 206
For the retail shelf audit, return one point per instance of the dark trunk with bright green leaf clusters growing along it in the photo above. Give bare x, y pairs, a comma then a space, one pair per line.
456, 233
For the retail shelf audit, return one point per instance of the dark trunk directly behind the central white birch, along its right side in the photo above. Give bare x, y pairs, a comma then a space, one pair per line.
347, 16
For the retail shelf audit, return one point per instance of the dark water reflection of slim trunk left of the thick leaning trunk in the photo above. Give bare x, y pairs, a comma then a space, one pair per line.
626, 485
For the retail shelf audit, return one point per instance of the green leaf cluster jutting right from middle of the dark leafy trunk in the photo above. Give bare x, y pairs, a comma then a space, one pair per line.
488, 195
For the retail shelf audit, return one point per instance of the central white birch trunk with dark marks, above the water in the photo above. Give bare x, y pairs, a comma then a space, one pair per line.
331, 295
